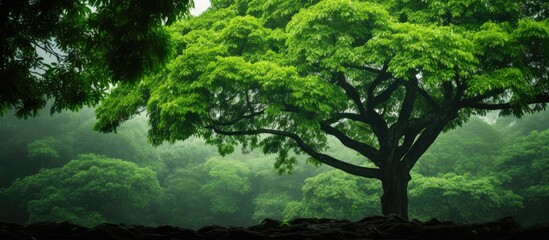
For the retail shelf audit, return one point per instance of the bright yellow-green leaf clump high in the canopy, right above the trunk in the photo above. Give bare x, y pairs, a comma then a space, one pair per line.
438, 53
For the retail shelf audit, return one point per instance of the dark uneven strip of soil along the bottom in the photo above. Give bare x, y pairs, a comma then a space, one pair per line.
376, 227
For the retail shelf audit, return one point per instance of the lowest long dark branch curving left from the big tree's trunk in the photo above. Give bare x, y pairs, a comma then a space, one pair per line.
323, 158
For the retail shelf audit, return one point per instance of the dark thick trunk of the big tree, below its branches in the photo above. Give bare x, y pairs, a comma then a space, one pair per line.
395, 192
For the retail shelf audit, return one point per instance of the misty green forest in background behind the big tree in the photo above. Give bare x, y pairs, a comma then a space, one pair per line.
55, 168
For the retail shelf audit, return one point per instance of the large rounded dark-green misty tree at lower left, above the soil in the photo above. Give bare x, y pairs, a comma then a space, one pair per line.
103, 189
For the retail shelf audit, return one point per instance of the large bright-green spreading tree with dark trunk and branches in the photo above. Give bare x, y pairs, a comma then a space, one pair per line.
383, 77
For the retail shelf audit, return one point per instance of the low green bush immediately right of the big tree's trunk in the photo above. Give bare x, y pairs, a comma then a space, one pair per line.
461, 198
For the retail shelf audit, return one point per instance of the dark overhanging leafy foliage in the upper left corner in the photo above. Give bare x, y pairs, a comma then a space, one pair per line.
71, 51
